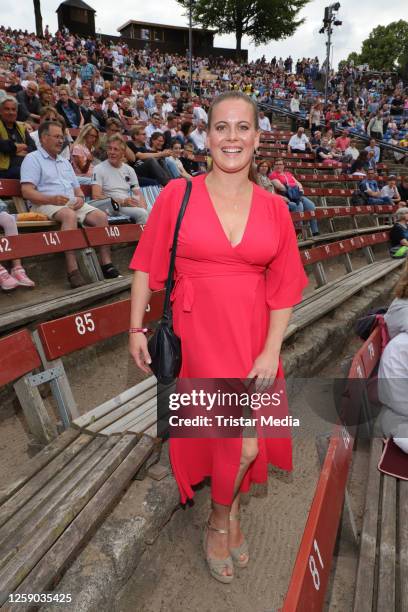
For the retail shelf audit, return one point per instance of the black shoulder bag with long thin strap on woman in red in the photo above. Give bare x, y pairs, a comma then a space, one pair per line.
164, 346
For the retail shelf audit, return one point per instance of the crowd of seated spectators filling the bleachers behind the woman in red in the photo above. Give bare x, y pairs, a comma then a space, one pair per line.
77, 110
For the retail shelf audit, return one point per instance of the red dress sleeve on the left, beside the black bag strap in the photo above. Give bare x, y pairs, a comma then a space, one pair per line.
152, 254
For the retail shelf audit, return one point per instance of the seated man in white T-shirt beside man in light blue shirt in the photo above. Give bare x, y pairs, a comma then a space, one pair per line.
116, 180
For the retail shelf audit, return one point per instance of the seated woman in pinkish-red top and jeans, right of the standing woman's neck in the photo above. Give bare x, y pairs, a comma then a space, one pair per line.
291, 190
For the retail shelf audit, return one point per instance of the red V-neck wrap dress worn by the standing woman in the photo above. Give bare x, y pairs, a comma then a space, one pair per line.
221, 302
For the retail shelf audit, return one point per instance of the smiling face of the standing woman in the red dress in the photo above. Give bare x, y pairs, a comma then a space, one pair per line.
232, 137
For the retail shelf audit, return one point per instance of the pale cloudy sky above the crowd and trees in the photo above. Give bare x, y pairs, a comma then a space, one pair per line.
358, 17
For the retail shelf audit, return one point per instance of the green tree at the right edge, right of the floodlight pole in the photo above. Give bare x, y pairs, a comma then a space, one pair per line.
386, 48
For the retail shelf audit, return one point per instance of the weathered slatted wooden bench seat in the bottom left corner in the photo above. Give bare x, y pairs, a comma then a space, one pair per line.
49, 513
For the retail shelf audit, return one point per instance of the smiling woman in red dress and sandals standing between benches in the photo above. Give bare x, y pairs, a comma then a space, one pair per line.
238, 274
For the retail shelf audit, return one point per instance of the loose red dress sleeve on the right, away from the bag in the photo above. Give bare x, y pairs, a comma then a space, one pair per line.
285, 276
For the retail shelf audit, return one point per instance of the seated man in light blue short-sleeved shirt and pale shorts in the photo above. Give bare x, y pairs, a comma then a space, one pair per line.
49, 183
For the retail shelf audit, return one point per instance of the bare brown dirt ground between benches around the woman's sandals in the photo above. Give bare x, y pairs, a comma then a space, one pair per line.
273, 523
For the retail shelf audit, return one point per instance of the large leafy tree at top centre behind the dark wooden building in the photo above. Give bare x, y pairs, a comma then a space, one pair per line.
261, 20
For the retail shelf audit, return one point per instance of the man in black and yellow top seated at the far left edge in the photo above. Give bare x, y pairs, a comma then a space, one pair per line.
15, 140
